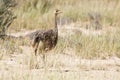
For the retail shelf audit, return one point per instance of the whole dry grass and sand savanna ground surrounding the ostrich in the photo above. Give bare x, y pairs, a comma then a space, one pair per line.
81, 54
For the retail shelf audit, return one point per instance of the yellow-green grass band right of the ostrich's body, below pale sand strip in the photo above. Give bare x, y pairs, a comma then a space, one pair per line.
92, 46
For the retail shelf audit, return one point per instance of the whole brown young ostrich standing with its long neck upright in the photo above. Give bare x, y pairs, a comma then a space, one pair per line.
45, 40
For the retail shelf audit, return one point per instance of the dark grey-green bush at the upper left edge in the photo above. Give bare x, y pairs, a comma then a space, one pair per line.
6, 14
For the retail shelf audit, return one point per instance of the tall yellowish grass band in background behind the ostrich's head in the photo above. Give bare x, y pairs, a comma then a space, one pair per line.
37, 14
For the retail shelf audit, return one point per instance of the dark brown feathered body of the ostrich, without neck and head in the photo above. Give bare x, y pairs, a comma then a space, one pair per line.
45, 40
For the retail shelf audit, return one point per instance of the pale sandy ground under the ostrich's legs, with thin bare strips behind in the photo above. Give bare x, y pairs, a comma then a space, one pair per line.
58, 66
